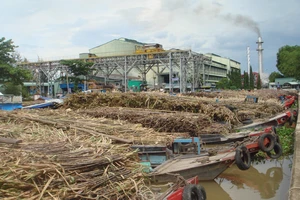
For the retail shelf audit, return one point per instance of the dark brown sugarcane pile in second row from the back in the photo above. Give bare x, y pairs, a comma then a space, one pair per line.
194, 124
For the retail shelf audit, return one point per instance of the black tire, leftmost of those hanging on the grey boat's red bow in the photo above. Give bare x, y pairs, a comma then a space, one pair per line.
242, 158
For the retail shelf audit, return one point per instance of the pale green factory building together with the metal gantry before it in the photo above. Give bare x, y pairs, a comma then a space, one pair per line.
123, 60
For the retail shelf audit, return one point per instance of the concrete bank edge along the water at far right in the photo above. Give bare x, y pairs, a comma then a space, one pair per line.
294, 191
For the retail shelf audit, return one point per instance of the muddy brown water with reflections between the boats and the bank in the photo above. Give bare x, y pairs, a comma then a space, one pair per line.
268, 179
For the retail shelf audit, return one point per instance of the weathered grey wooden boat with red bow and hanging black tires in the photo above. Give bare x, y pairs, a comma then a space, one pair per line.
210, 167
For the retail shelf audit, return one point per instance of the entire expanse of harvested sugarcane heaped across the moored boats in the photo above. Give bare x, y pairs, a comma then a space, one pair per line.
82, 150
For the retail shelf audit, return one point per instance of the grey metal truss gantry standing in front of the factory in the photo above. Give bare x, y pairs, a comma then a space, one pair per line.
188, 64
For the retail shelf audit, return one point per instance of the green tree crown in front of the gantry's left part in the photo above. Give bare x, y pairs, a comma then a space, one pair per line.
78, 67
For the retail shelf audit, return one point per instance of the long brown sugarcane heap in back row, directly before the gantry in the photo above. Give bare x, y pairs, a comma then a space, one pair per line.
150, 101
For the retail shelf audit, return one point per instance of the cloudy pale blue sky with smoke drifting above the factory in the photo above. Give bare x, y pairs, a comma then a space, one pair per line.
62, 29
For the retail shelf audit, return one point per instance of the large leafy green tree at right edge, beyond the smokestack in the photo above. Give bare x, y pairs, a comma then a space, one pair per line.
288, 61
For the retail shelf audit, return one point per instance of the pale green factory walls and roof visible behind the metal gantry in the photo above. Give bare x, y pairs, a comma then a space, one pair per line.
212, 71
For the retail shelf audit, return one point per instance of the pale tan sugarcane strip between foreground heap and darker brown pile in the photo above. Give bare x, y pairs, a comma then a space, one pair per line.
116, 130
